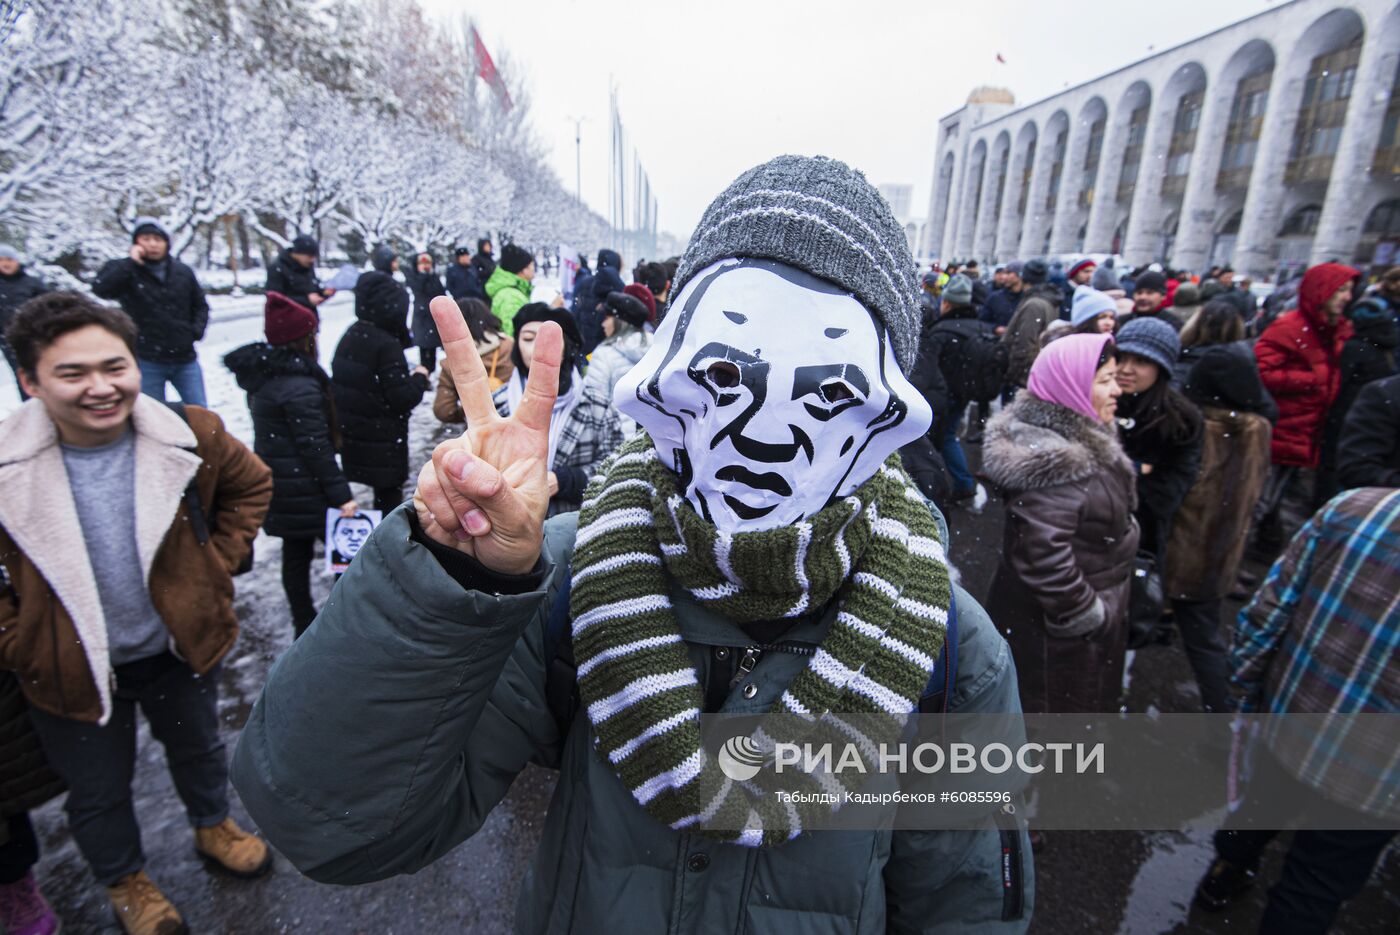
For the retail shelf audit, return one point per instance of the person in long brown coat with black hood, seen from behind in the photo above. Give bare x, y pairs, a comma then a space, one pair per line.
1210, 528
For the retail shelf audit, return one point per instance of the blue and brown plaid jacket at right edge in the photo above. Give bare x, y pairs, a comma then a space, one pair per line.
1321, 638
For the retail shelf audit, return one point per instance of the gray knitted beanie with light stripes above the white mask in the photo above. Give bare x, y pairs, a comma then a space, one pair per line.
820, 216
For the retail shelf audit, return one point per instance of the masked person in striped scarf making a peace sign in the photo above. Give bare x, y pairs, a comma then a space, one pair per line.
757, 549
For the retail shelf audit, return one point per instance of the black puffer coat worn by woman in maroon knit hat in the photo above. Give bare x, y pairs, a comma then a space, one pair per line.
289, 397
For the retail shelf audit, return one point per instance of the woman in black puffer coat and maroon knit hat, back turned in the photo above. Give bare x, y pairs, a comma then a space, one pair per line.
296, 435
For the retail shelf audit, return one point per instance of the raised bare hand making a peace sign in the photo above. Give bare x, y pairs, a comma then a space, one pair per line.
486, 492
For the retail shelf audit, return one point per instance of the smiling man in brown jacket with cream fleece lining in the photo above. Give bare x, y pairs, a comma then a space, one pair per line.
118, 594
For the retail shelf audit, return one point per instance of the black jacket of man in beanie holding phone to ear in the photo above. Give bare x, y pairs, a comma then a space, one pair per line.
170, 311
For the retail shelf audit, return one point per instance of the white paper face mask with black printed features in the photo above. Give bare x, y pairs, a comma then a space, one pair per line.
771, 393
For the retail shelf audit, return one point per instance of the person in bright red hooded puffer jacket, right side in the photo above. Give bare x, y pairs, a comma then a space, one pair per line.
1298, 362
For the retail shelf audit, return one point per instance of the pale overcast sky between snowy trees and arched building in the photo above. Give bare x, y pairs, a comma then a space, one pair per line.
708, 90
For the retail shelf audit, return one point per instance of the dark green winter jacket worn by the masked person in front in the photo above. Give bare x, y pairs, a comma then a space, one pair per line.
390, 731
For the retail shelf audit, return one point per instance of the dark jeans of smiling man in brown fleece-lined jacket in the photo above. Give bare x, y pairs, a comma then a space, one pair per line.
97, 762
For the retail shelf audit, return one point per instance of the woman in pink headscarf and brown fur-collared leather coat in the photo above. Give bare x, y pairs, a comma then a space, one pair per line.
1062, 590
